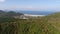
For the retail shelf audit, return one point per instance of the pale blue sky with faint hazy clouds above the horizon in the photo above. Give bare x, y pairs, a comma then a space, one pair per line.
39, 5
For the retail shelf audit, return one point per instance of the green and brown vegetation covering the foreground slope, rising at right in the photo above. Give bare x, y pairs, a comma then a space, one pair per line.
44, 25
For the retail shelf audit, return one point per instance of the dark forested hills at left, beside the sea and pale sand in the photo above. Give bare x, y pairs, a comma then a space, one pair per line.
9, 13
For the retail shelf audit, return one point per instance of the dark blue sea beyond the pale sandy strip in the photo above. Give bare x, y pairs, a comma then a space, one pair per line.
37, 12
